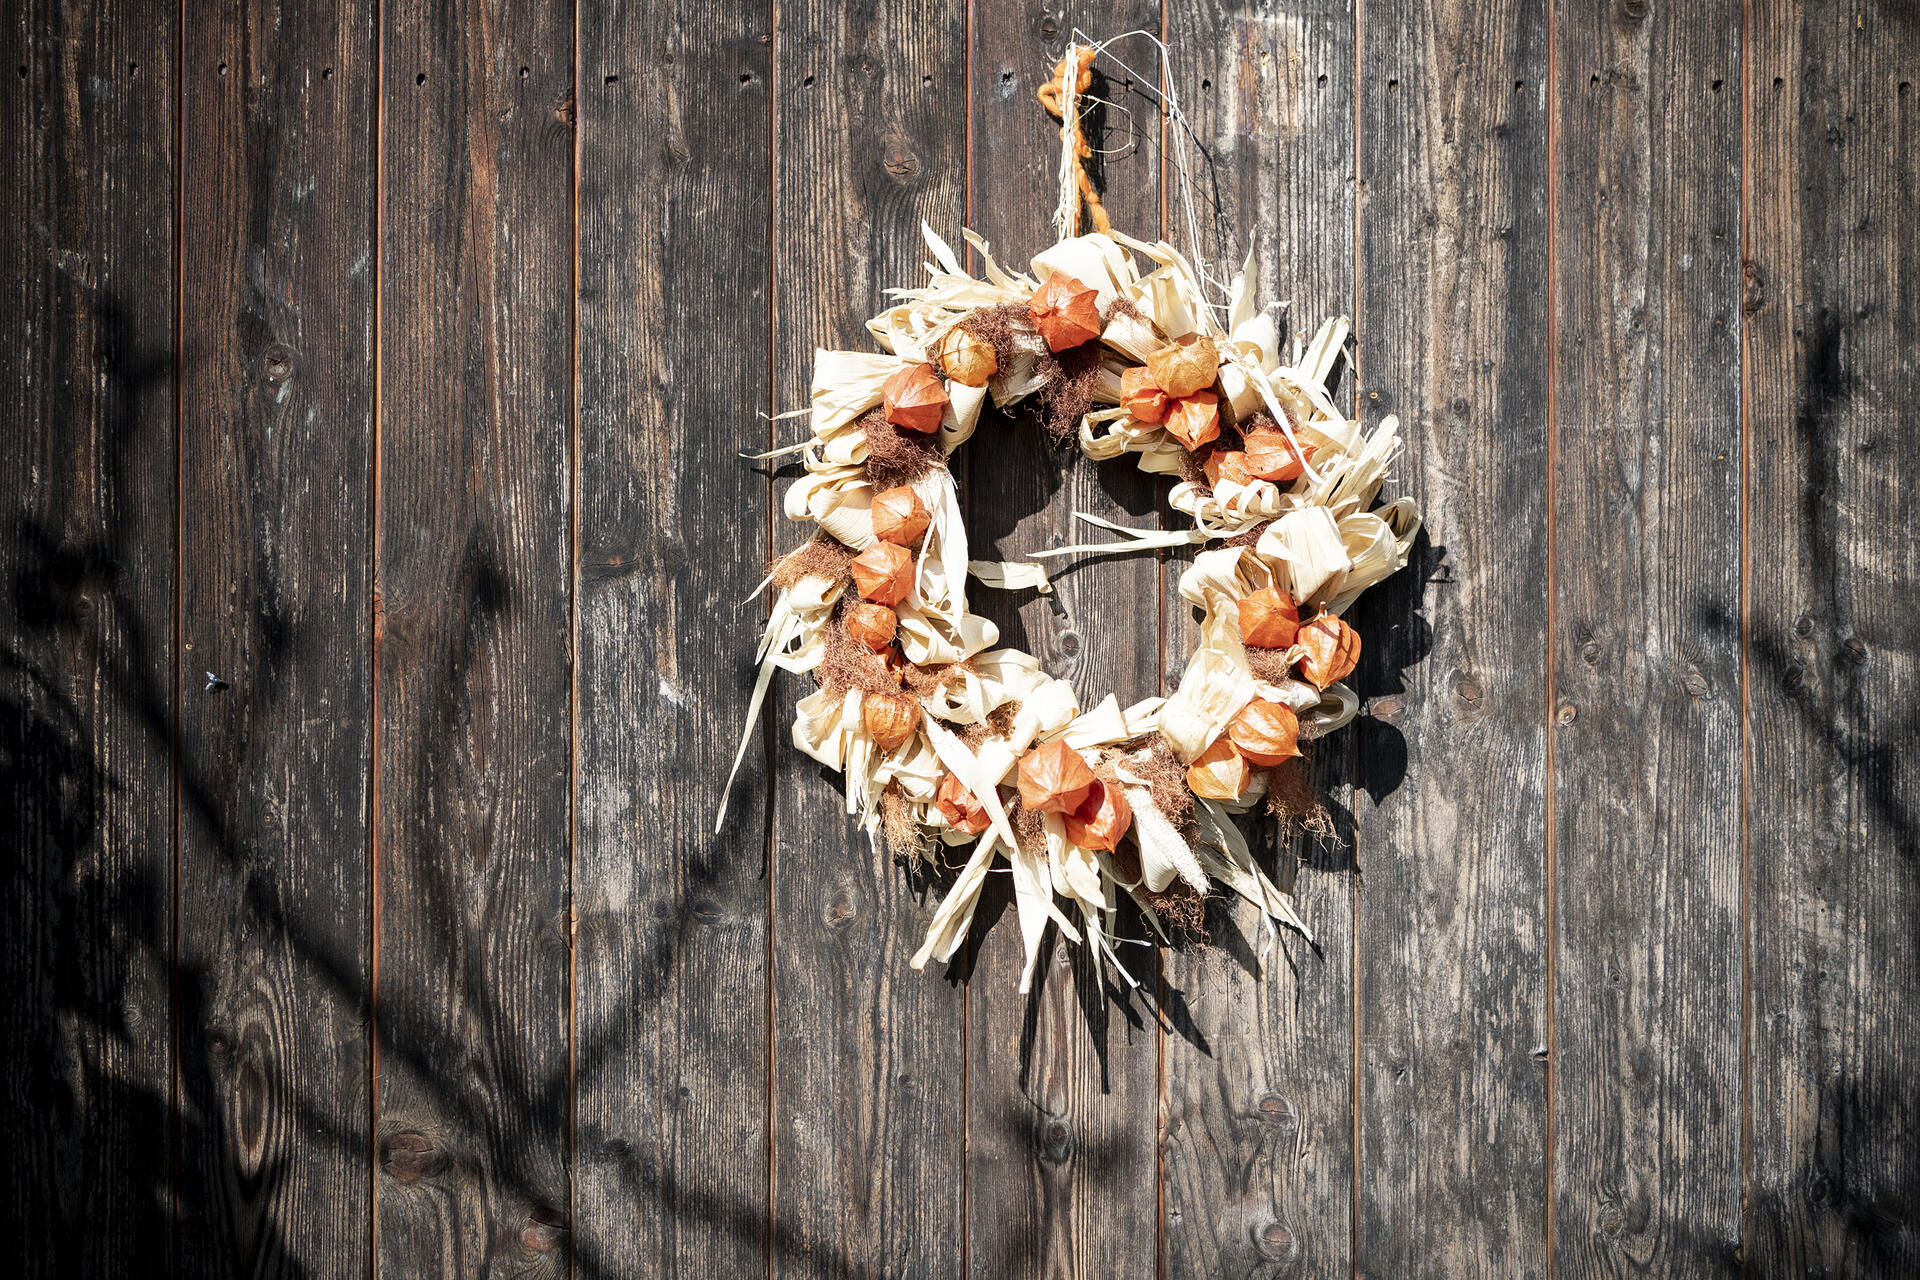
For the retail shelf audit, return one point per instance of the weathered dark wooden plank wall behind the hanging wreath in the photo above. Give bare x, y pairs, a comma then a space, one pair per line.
375, 640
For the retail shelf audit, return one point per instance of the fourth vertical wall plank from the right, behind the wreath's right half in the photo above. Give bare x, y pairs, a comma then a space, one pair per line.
1260, 1049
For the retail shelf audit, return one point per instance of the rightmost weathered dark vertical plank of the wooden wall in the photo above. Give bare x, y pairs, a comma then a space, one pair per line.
1833, 304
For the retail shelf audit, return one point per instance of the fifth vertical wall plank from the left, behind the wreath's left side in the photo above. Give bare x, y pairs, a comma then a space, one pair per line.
869, 1106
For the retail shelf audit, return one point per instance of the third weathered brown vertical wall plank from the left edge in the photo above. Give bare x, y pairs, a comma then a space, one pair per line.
475, 563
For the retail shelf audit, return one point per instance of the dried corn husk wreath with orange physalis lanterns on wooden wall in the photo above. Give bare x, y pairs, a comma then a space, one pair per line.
946, 738
